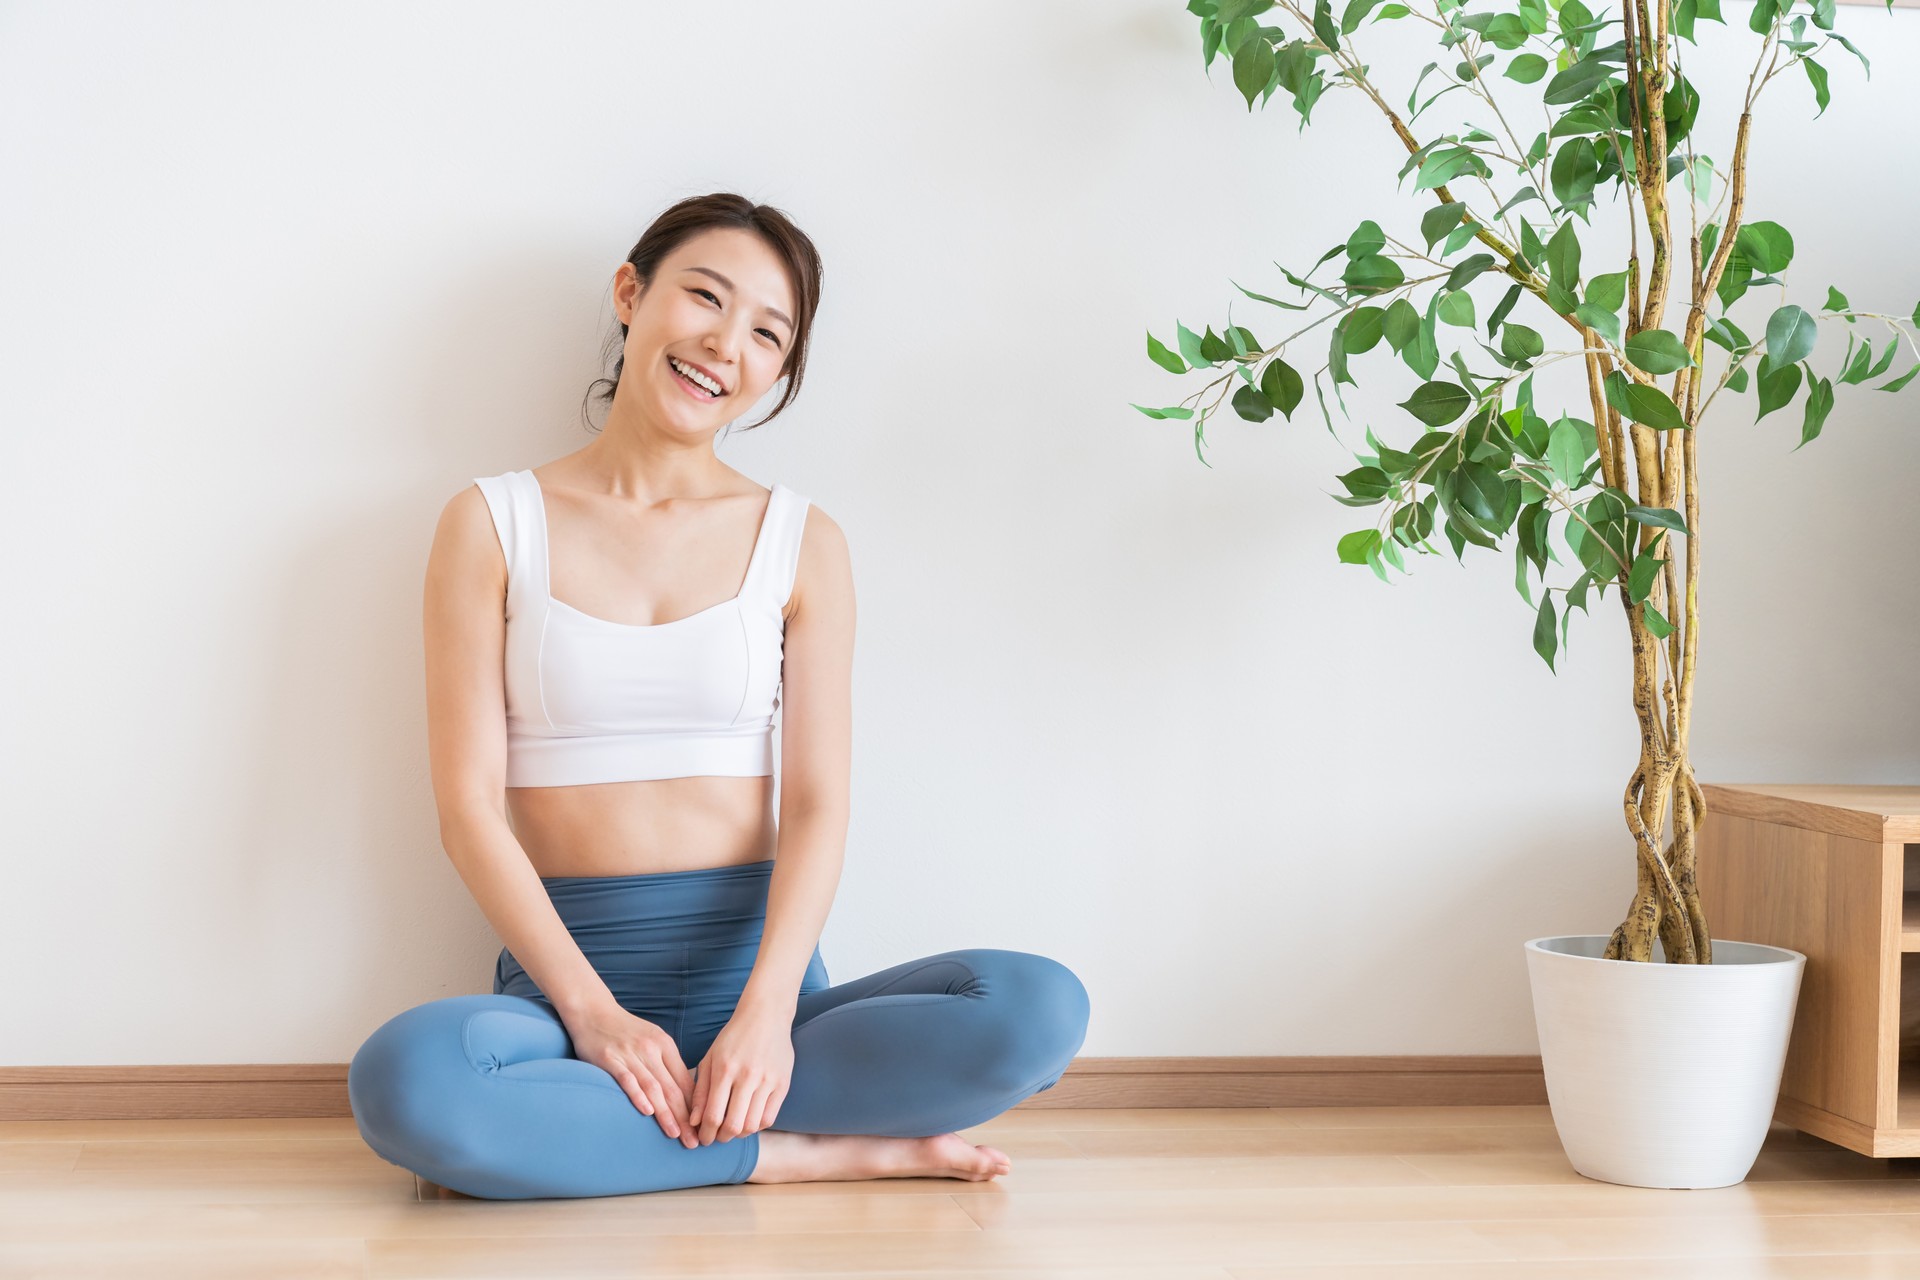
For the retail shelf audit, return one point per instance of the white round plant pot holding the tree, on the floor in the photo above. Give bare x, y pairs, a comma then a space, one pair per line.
1664, 1076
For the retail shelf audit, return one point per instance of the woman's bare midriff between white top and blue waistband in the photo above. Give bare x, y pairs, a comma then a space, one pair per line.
667, 824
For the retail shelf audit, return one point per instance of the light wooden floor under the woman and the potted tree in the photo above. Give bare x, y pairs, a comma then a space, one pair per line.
1245, 1195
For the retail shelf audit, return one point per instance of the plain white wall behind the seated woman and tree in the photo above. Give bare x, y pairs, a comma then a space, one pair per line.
281, 281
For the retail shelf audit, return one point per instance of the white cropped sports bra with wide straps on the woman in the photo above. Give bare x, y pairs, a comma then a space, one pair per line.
598, 701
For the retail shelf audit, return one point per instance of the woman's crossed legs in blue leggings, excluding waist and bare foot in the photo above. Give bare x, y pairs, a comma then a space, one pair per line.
483, 1093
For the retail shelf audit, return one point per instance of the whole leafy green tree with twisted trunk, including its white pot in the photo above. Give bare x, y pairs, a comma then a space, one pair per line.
1662, 1045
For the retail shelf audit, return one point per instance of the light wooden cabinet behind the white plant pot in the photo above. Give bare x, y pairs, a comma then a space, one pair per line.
1833, 872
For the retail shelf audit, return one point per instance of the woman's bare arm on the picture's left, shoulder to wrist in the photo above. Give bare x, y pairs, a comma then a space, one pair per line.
466, 632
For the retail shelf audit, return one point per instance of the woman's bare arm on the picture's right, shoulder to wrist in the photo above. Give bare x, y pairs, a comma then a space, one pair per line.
815, 763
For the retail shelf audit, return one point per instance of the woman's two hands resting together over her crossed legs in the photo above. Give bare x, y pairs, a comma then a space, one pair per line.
738, 1089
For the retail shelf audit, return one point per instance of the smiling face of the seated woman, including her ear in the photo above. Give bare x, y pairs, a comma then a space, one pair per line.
721, 308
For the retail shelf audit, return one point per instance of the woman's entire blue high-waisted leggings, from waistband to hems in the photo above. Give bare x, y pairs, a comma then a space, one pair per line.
485, 1095
